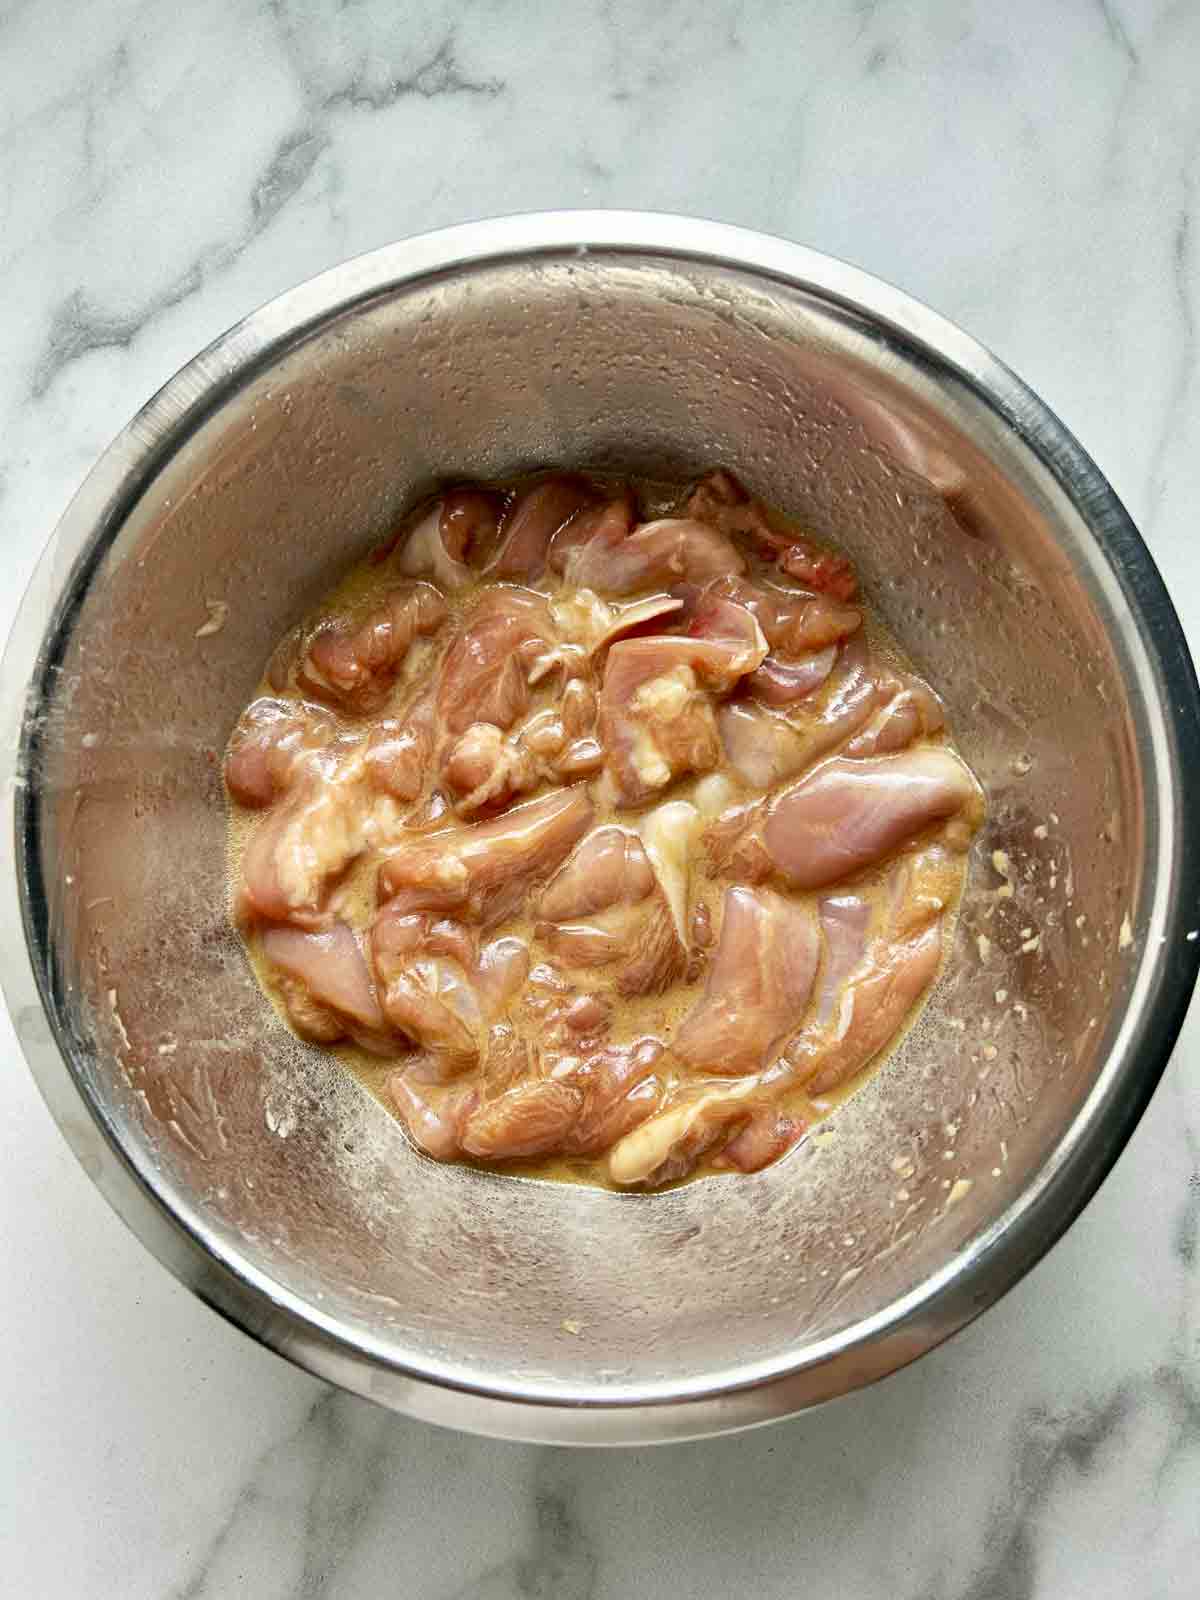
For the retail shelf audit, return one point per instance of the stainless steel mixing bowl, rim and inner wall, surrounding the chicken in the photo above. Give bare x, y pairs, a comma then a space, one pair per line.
994, 548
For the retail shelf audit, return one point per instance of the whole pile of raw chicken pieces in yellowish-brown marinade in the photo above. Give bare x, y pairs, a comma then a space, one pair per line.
599, 830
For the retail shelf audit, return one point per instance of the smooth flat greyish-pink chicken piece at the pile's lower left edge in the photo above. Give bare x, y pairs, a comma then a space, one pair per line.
329, 985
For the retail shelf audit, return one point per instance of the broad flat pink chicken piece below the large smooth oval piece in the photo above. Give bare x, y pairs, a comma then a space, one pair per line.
759, 983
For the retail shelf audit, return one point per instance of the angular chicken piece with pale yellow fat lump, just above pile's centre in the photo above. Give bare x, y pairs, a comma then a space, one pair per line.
657, 722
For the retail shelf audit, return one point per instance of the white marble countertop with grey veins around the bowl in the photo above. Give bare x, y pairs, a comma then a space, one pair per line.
1033, 172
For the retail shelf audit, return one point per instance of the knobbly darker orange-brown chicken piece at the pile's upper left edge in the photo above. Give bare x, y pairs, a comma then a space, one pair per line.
354, 665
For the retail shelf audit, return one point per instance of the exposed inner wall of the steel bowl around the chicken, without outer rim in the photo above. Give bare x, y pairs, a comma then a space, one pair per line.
262, 1148
